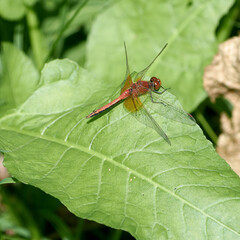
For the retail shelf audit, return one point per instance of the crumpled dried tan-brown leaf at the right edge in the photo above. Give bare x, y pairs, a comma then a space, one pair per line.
222, 78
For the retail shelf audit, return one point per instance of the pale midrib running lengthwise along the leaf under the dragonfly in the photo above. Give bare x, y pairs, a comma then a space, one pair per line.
127, 169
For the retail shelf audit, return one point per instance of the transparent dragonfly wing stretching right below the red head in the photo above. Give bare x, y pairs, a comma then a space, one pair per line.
171, 110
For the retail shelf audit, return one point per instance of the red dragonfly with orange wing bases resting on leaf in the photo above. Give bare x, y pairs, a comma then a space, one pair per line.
136, 92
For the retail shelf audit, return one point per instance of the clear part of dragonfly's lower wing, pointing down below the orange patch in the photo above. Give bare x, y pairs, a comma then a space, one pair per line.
143, 116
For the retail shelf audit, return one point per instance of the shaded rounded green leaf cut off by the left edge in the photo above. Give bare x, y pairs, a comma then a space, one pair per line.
19, 79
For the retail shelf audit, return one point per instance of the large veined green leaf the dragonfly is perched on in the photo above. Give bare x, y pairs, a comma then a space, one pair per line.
114, 170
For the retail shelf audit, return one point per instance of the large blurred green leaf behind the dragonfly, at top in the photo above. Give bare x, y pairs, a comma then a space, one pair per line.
188, 26
